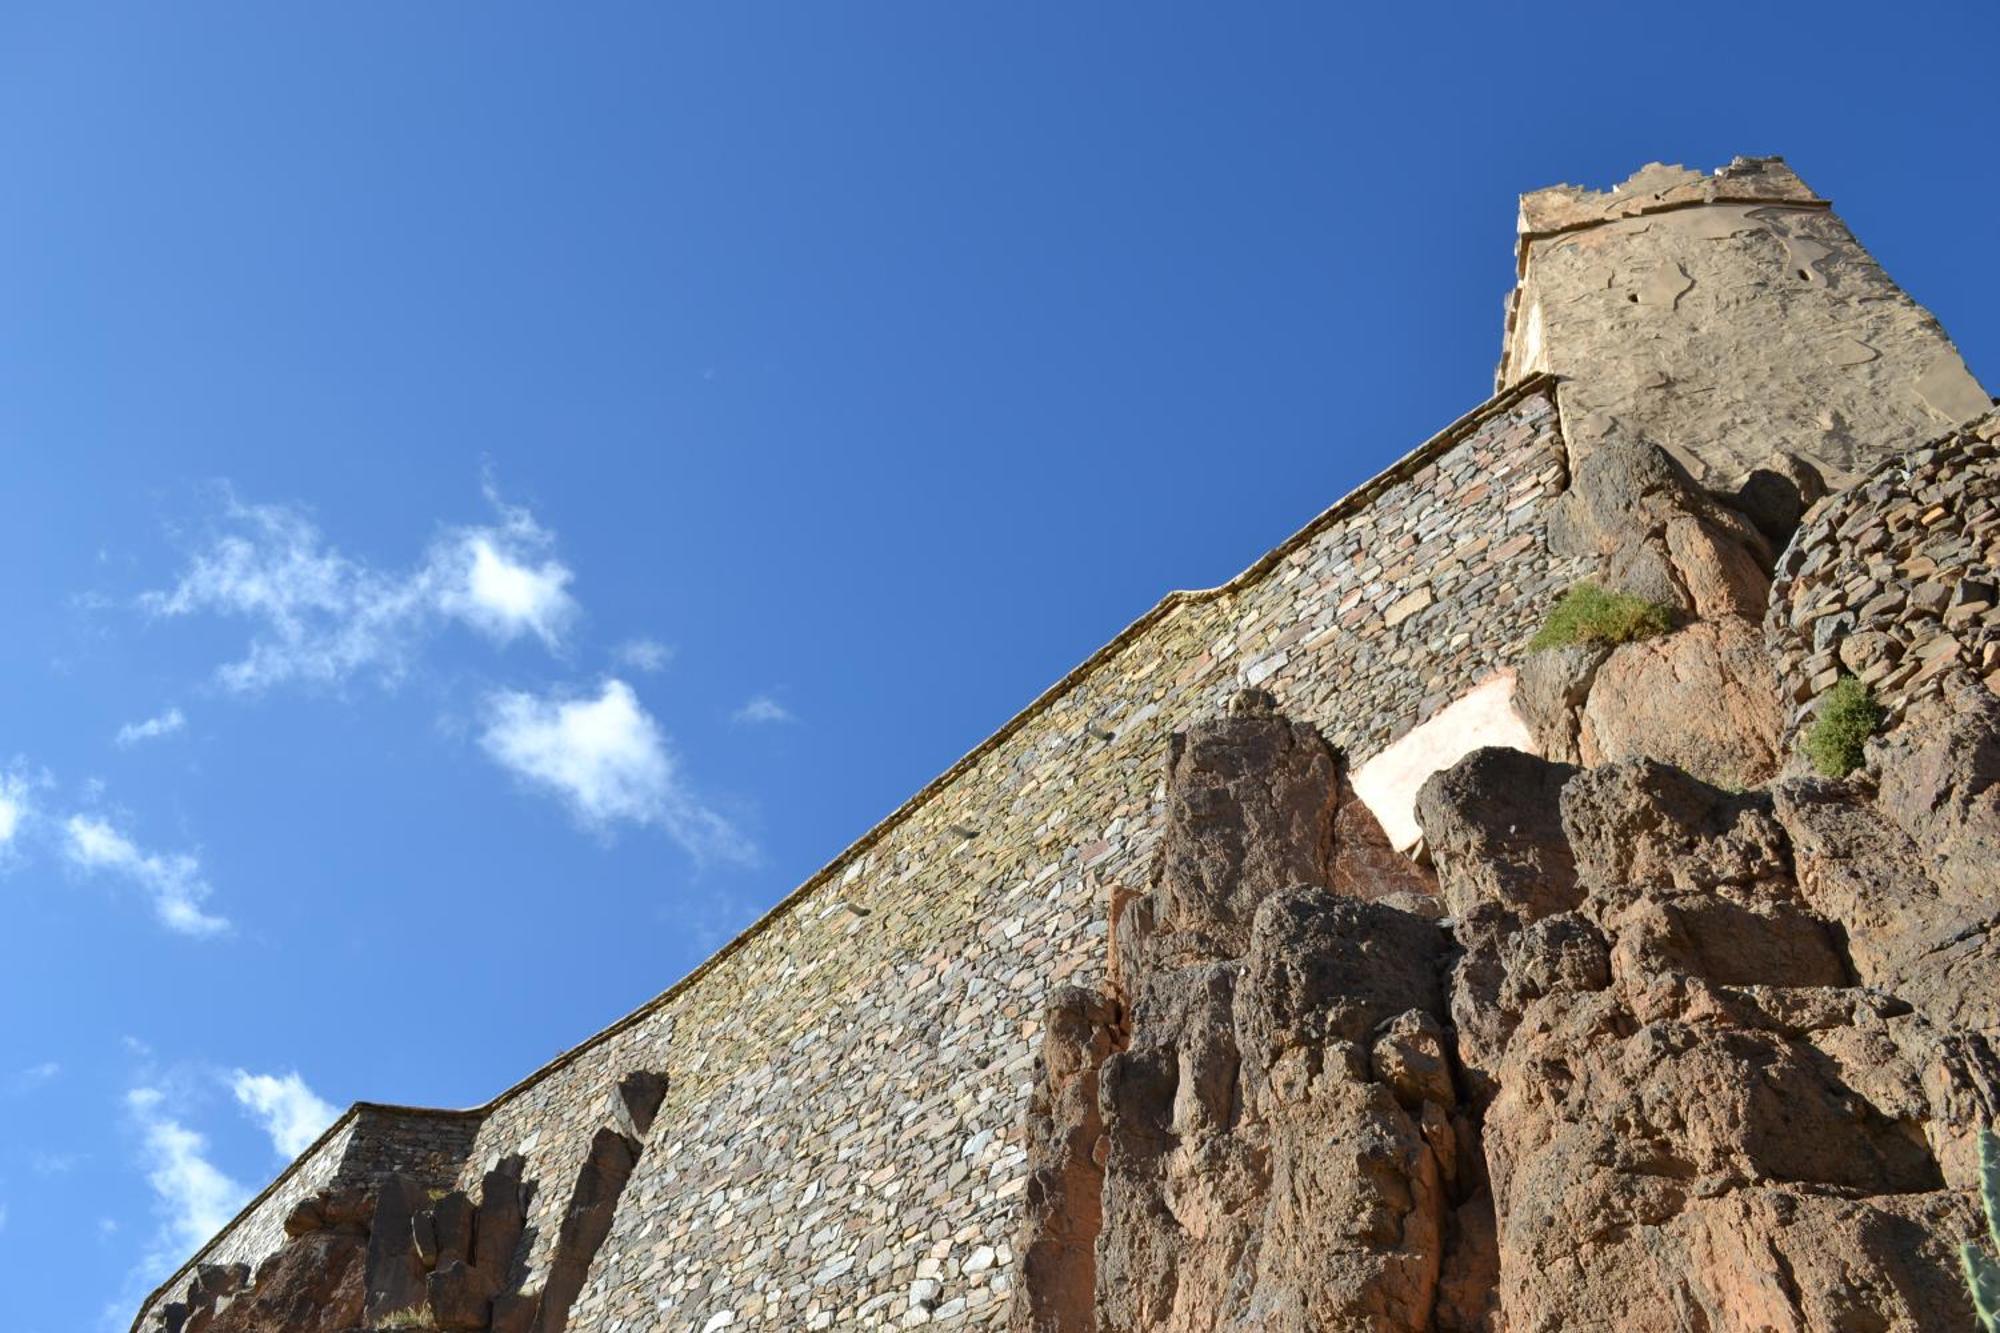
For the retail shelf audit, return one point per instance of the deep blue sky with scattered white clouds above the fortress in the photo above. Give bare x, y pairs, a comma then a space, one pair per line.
497, 495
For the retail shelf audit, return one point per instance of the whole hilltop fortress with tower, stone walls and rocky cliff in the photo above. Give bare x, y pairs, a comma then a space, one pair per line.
1553, 892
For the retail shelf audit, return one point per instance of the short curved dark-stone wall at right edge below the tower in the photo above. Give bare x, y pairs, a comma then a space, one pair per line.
1895, 581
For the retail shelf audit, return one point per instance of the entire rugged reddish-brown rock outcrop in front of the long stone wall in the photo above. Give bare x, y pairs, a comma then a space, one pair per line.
1679, 1058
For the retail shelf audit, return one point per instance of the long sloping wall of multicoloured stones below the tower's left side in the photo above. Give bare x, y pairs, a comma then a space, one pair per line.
841, 1142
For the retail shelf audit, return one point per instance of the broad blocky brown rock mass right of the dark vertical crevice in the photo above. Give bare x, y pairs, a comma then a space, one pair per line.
1701, 1106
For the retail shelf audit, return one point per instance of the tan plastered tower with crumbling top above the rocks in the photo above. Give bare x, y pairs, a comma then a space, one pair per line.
1727, 317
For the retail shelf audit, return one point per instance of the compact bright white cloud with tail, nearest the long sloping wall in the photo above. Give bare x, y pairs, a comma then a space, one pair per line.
609, 762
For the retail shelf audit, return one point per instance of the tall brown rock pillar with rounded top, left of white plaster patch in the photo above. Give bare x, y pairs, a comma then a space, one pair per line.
1275, 1124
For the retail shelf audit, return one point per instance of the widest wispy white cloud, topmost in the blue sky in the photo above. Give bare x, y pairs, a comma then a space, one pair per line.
321, 617
